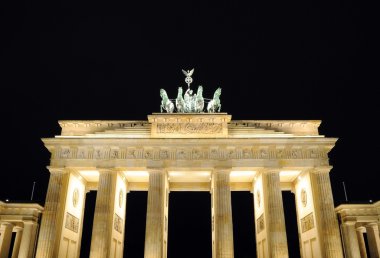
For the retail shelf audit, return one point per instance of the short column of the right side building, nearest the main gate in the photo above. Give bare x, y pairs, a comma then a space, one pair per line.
350, 239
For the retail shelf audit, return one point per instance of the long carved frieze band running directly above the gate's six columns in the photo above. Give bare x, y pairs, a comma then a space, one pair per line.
191, 153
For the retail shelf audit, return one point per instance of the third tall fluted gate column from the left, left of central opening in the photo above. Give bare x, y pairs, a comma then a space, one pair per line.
155, 217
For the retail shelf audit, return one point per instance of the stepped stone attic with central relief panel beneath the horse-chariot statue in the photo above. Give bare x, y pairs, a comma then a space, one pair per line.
189, 125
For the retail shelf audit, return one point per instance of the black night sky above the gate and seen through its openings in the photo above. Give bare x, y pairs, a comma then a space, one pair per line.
108, 60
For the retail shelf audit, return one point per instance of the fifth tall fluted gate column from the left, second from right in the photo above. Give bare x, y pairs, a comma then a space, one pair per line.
274, 214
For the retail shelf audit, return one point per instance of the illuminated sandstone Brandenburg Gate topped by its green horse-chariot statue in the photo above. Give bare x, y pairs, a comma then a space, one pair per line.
189, 151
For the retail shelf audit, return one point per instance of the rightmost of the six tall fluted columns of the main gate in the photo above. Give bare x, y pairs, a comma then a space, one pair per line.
327, 223
